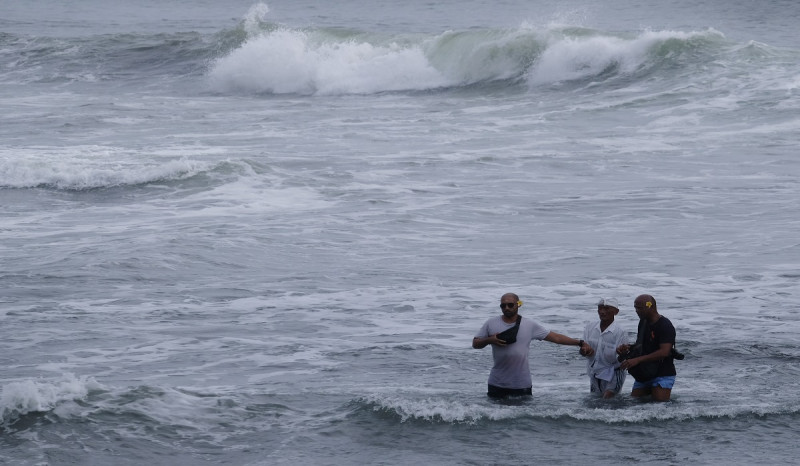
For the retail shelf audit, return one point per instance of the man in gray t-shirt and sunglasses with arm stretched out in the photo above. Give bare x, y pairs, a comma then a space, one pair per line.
511, 374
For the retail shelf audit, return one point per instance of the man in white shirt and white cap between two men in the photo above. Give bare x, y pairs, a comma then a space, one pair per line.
604, 336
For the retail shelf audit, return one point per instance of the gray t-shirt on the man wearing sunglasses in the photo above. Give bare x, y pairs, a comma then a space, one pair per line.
511, 368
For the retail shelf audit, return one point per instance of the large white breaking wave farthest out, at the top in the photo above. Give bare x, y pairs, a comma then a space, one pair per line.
281, 60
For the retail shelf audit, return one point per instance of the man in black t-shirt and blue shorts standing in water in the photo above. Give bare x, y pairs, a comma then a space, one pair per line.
657, 335
